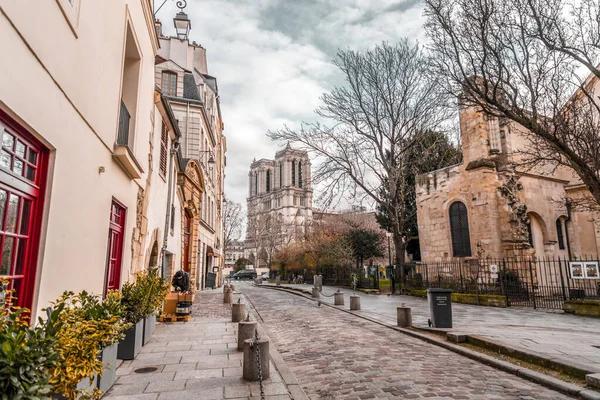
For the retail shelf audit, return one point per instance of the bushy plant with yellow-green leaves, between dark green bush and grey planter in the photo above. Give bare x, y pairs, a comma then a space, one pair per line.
87, 323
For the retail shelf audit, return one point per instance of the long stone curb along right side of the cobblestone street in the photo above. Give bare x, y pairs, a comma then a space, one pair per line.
525, 373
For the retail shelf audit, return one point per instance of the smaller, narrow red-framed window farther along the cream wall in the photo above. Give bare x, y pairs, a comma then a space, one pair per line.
114, 252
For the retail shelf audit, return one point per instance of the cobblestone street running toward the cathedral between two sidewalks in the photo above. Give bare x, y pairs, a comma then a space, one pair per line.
337, 356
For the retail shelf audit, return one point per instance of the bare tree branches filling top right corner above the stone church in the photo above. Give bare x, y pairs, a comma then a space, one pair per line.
525, 61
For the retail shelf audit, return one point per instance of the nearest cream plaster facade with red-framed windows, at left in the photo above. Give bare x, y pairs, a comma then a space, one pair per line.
76, 121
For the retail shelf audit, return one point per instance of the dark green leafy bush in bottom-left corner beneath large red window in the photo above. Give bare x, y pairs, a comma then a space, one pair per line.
27, 353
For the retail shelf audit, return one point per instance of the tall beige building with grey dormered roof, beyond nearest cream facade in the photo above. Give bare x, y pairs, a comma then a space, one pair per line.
181, 73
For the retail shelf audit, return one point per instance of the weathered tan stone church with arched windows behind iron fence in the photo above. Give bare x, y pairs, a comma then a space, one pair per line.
462, 212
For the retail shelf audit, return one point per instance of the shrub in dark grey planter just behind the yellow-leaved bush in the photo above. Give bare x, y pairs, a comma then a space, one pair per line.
134, 311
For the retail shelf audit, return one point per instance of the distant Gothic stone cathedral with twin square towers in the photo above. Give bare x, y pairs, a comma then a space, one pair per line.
279, 203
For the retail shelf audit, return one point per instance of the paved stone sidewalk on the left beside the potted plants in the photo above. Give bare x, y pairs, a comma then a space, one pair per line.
194, 360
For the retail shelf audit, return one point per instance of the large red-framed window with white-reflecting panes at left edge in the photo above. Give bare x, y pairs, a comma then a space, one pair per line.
23, 175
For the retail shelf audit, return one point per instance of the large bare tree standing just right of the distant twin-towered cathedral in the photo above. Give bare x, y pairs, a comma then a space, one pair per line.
389, 97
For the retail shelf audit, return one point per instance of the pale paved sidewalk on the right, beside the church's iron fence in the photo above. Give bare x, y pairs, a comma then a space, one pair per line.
568, 339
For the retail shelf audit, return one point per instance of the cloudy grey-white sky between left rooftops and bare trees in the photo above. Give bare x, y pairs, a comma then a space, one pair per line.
272, 59
